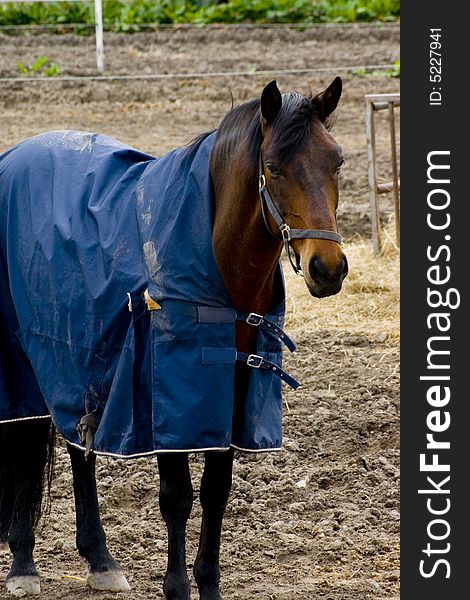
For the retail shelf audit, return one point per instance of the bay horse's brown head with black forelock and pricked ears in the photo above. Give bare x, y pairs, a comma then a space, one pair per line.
300, 162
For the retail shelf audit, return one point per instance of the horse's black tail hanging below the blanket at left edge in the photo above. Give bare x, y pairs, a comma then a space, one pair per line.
26, 469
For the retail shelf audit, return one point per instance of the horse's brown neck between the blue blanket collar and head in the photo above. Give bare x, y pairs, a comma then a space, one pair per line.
247, 254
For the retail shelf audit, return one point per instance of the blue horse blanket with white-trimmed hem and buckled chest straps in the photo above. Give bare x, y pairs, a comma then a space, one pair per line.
93, 234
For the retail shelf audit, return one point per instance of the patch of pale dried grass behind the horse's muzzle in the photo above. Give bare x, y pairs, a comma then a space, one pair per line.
368, 303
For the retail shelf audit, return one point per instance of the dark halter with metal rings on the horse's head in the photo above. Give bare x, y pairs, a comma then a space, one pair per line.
288, 234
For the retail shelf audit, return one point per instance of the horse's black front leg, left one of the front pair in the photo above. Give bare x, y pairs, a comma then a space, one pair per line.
176, 501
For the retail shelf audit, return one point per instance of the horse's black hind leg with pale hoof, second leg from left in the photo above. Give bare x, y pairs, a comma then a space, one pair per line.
105, 572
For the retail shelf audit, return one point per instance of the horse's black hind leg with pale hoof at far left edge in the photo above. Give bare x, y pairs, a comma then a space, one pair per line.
25, 449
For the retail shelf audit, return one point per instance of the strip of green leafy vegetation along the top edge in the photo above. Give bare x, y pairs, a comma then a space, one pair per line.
121, 14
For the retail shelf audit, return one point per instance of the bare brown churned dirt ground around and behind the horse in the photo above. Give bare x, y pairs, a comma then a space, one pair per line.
320, 519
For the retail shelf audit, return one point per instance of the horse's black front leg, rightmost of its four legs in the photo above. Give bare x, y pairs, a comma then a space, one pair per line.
215, 490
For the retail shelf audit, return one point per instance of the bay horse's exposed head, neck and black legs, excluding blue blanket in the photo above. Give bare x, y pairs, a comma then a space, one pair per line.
274, 170
